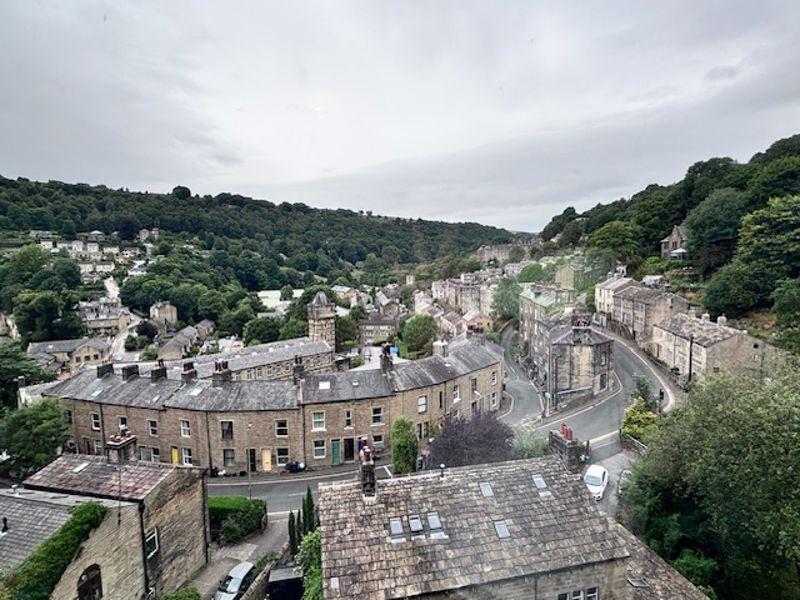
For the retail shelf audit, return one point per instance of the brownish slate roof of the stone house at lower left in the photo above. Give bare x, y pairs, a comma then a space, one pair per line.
99, 477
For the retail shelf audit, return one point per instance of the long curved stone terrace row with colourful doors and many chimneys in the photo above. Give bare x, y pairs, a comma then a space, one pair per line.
258, 425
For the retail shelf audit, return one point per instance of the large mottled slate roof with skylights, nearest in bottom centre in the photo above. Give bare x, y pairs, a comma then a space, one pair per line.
560, 531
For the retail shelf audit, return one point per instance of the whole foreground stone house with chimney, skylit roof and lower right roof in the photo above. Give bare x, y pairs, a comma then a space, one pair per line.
519, 530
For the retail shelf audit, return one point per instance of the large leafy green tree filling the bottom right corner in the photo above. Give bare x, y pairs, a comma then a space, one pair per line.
720, 477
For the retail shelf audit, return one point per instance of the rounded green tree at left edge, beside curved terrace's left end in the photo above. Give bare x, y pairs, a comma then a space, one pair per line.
32, 435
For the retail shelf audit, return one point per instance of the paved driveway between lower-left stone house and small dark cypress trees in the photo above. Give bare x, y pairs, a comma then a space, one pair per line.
223, 558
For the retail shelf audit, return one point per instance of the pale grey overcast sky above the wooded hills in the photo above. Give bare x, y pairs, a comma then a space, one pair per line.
498, 112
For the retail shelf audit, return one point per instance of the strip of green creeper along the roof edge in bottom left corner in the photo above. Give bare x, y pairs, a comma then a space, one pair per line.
37, 576
